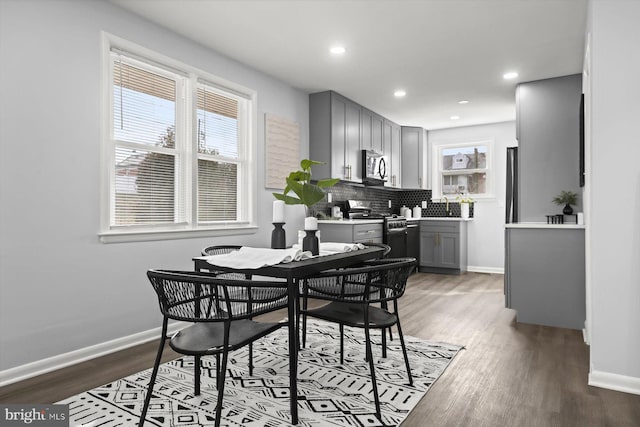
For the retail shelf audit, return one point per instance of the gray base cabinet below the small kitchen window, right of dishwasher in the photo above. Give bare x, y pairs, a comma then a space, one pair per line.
443, 246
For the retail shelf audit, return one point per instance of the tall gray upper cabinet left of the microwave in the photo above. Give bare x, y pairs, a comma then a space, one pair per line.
335, 131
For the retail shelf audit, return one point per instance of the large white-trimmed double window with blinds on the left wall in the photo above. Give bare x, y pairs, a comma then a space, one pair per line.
178, 150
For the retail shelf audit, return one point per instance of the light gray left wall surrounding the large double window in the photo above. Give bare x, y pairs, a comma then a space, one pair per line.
60, 288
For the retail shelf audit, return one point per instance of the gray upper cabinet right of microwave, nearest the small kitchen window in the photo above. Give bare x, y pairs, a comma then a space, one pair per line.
413, 161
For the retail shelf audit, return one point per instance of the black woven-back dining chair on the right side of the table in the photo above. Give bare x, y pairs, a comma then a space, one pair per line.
351, 293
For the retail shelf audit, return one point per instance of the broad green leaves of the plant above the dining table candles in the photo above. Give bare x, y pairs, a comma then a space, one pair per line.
308, 193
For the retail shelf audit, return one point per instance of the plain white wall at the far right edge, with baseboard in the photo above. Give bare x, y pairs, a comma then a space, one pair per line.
614, 269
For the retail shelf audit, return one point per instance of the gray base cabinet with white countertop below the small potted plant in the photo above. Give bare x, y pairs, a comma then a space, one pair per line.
544, 275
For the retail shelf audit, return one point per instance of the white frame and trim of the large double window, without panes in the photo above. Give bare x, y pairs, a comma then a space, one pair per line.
186, 145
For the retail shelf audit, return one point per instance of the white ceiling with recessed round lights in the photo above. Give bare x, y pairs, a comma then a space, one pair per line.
438, 51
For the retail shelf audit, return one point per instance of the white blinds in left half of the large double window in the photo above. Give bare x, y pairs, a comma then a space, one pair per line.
144, 143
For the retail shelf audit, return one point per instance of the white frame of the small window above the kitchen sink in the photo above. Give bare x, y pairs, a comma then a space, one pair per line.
436, 168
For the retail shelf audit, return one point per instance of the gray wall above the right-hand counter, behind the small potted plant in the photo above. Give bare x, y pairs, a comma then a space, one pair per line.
548, 141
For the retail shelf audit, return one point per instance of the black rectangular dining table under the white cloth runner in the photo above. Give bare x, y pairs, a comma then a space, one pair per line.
293, 272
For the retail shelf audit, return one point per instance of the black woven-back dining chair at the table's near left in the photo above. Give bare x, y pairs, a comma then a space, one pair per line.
220, 311
